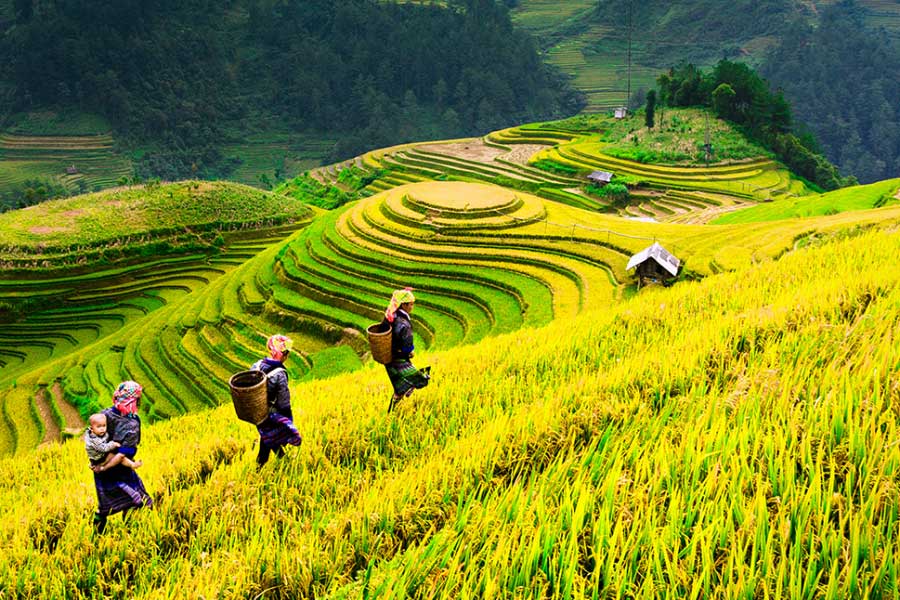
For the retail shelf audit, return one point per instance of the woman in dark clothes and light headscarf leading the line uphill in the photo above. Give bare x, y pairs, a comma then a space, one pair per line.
405, 378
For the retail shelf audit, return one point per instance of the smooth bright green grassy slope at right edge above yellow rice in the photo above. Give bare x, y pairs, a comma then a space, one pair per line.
848, 199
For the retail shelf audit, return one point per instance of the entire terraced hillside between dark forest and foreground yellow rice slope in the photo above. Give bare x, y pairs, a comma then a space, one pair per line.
491, 239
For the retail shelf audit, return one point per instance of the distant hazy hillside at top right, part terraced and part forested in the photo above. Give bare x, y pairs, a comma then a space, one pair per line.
837, 62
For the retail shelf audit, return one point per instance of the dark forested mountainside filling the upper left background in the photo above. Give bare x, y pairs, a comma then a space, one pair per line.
185, 77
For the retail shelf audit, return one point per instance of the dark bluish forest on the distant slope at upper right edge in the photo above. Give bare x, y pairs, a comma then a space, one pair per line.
844, 81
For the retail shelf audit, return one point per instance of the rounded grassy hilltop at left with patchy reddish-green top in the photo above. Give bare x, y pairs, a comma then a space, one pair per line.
124, 221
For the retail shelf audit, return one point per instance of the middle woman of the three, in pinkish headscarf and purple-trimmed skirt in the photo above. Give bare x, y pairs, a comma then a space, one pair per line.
278, 429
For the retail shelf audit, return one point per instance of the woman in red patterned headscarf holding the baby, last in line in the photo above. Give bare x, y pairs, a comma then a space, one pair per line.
120, 489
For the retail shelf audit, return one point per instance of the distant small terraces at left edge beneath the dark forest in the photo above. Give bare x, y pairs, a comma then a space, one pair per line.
97, 164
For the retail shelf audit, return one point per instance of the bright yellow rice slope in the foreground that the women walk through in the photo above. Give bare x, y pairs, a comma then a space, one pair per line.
730, 437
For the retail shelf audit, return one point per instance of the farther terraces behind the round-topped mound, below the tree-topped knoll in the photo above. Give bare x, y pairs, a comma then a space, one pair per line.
694, 194
